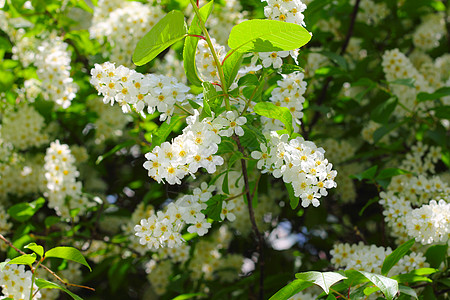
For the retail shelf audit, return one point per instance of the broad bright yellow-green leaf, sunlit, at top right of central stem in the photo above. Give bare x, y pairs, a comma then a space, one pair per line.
267, 36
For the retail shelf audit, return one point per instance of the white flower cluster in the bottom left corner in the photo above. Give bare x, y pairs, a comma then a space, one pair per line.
16, 282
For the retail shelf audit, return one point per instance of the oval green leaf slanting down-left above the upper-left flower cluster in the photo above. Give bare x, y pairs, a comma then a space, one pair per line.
165, 33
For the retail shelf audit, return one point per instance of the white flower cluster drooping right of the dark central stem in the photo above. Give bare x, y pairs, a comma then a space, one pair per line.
300, 163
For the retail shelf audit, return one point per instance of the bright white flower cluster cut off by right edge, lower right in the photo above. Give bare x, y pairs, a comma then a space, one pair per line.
430, 223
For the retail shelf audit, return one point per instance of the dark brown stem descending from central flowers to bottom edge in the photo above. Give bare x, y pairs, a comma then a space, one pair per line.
256, 231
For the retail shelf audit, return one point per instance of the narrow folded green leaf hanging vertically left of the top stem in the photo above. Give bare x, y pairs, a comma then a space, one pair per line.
190, 44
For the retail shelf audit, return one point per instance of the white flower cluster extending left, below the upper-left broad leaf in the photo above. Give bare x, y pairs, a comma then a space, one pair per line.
130, 88
